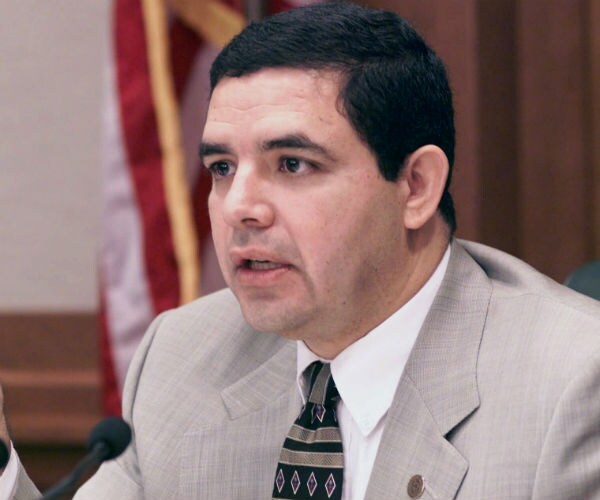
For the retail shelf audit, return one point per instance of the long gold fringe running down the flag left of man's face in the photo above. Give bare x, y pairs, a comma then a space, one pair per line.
177, 191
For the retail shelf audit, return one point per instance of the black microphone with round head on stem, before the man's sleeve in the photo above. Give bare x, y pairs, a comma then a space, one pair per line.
107, 440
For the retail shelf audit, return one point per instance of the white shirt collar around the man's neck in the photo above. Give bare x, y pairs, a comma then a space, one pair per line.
377, 360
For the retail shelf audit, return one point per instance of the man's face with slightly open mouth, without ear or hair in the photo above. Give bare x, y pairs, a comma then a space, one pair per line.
308, 234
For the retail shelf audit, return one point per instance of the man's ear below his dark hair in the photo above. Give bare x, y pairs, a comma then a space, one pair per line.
424, 175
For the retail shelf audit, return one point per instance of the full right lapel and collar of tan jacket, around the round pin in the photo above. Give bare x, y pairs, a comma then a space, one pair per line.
437, 391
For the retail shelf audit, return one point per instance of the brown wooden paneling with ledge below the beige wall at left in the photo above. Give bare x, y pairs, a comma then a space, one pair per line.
50, 373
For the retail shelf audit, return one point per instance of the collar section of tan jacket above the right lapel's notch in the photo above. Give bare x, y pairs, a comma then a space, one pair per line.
443, 362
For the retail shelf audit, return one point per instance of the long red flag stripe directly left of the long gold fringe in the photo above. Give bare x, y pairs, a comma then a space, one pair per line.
144, 155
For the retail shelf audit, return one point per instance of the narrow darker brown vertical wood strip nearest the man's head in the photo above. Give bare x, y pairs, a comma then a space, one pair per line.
496, 56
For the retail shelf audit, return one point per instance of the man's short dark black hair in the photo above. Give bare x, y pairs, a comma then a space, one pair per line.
395, 91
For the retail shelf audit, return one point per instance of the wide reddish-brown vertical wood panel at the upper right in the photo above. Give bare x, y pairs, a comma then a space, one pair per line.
554, 173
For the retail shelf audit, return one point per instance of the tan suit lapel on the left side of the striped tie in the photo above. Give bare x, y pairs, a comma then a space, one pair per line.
236, 458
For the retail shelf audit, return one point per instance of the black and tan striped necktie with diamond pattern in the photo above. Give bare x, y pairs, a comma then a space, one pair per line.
311, 464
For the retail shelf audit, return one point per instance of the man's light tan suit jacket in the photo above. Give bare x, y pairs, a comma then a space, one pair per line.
500, 398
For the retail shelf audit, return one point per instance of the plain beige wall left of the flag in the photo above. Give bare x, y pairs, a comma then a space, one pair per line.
51, 55
